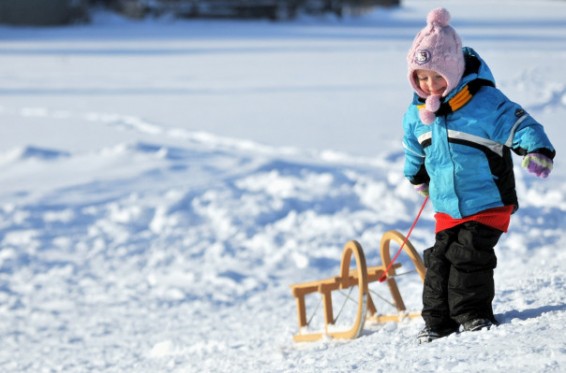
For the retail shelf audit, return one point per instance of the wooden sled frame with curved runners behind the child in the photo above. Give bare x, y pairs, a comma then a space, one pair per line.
360, 276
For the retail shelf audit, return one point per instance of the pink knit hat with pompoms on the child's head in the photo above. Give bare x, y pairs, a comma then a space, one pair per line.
436, 47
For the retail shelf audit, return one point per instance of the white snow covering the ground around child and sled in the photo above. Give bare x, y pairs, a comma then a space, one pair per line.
164, 182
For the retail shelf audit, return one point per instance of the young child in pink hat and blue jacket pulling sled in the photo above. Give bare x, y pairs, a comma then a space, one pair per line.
459, 132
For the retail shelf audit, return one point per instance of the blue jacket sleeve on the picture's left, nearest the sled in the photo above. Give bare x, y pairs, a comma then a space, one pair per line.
414, 169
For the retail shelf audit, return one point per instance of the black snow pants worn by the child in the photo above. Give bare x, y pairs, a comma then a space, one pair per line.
459, 283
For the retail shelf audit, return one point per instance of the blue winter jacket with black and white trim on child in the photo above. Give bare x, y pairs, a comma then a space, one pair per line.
465, 154
